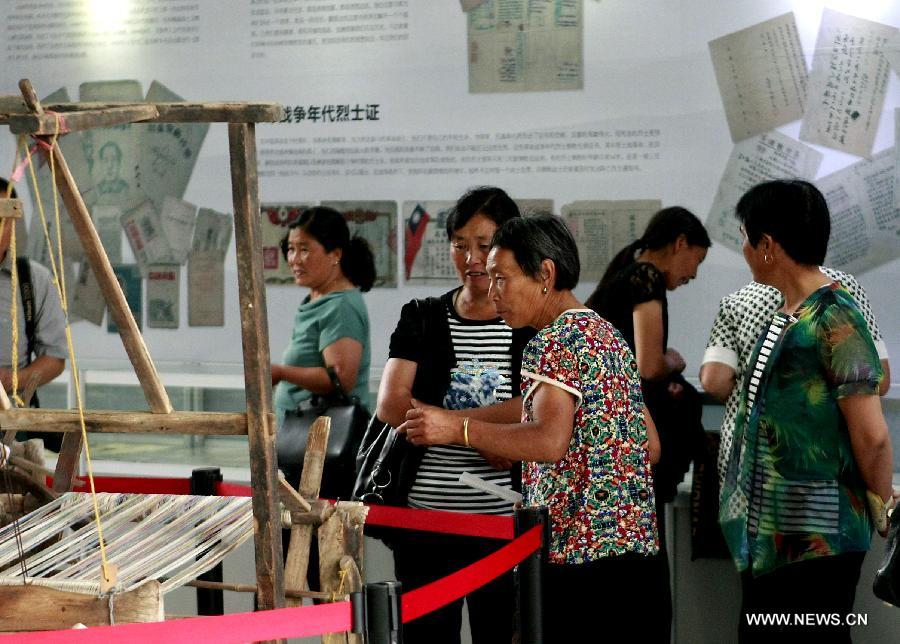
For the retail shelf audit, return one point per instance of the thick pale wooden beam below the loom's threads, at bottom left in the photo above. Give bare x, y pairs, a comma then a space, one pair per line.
38, 608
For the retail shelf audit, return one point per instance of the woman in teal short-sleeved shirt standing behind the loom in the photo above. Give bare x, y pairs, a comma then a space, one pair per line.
331, 328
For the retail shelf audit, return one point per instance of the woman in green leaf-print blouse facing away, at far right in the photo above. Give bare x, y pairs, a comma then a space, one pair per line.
810, 437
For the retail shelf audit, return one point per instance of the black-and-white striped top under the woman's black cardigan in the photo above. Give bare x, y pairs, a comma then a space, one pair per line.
476, 344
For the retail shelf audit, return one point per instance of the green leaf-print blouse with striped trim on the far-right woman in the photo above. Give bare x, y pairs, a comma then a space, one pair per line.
792, 488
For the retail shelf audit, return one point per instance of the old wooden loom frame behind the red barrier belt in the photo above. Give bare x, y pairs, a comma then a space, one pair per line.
28, 117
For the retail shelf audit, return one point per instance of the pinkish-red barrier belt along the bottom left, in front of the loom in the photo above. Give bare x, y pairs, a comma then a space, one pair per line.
283, 623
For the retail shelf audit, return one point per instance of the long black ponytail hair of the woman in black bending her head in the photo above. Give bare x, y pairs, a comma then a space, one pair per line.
664, 228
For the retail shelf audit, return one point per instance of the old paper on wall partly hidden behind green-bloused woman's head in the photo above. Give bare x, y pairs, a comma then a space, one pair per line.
762, 158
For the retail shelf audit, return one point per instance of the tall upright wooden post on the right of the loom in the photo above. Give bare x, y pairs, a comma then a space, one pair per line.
257, 373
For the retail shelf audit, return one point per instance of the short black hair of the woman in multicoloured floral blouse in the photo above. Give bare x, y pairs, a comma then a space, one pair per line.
535, 238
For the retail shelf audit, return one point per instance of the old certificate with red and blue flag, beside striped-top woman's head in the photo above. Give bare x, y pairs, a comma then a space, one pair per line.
426, 250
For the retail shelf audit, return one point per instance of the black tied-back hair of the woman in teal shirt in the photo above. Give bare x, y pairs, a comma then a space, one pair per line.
329, 228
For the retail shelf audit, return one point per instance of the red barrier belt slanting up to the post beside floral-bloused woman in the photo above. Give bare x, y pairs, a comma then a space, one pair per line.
437, 594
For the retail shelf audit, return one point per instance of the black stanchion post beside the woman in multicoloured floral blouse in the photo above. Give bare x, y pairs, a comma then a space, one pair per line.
529, 576
